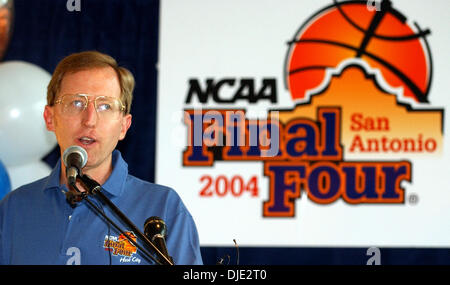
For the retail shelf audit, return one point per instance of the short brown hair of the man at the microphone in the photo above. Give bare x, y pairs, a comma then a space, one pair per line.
89, 60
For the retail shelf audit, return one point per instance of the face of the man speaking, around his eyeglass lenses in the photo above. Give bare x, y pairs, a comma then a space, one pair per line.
97, 135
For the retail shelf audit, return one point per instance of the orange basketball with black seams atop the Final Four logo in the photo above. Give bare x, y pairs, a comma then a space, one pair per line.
345, 30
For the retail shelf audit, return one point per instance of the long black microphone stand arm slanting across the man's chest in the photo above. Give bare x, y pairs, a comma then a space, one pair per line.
94, 188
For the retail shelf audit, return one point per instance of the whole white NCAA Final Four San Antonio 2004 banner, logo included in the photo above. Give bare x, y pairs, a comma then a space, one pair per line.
307, 123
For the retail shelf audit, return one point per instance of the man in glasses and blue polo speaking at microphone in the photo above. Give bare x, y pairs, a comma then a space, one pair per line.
88, 106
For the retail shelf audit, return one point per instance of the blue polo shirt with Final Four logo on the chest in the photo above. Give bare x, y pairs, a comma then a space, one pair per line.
38, 225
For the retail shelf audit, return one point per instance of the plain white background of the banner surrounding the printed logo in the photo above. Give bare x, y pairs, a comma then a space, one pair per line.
204, 39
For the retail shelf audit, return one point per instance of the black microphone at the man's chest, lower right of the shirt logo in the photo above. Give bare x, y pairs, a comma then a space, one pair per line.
155, 230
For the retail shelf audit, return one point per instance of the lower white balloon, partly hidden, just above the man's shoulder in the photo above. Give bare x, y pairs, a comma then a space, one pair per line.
27, 173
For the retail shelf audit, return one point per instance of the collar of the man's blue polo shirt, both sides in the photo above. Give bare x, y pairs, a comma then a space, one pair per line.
115, 184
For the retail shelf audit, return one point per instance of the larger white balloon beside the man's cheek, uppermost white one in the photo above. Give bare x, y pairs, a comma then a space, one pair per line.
24, 137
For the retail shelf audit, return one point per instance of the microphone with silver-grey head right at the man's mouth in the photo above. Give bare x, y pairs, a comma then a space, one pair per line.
74, 158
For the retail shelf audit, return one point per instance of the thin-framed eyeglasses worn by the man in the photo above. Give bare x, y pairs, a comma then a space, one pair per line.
106, 107
